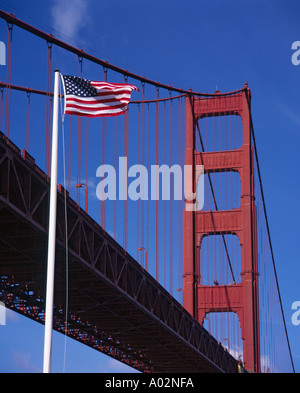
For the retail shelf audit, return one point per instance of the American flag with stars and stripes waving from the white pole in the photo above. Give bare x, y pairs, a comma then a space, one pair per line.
94, 99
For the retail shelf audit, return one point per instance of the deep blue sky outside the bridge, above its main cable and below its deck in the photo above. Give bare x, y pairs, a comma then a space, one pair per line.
201, 44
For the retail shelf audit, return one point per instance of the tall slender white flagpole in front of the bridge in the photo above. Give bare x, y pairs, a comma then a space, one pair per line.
52, 233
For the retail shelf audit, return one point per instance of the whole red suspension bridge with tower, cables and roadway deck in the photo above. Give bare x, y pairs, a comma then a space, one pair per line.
151, 283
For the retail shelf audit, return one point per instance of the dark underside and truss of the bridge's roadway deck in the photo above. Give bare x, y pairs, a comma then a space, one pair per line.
115, 306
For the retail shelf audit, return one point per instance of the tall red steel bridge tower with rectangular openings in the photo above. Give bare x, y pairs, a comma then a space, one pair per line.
241, 298
